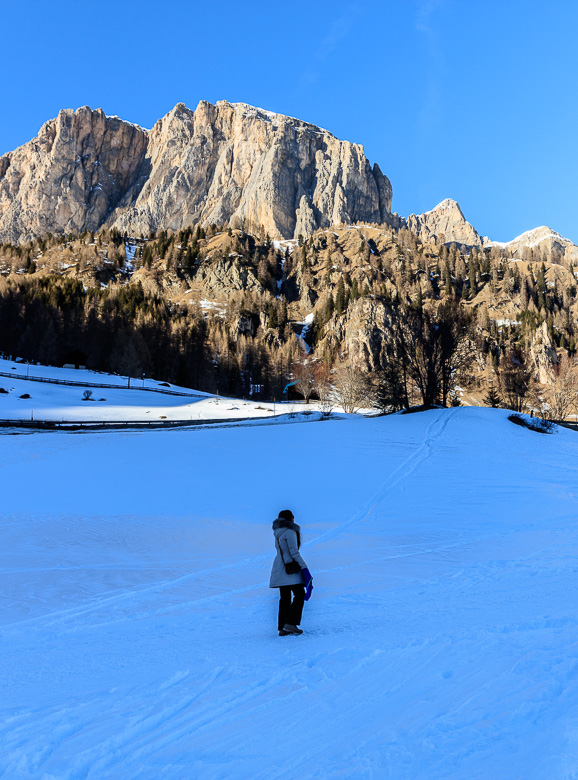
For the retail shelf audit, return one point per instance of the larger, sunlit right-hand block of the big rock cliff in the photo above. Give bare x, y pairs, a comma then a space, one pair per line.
235, 163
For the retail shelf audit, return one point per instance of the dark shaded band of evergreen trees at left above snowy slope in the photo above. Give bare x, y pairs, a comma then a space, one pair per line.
126, 331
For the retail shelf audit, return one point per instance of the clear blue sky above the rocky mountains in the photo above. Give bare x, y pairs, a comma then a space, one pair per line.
472, 100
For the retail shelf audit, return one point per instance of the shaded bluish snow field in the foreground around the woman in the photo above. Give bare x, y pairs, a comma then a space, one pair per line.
139, 637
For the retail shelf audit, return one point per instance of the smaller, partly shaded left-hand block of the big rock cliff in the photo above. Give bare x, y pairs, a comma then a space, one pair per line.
70, 177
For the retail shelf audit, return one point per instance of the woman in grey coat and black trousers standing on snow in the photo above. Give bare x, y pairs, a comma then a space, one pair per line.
289, 573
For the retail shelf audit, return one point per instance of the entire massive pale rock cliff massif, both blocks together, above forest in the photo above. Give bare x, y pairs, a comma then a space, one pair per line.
220, 163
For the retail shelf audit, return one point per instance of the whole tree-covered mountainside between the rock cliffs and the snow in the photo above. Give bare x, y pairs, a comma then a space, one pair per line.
224, 311
